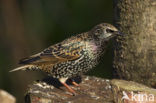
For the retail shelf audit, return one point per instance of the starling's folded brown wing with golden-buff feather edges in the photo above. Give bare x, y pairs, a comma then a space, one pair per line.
55, 54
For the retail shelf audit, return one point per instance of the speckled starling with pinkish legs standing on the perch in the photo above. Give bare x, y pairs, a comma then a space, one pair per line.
73, 56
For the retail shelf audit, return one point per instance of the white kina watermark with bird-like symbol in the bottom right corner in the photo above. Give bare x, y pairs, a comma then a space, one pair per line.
138, 97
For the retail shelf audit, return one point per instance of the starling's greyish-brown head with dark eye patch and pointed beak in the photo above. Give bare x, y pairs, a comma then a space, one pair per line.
104, 32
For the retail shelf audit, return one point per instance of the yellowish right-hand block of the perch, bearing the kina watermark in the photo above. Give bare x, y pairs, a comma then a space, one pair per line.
132, 92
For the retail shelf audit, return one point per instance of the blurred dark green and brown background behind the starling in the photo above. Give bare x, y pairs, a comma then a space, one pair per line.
29, 26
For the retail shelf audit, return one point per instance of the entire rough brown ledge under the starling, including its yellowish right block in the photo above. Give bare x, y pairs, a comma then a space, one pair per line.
91, 90
